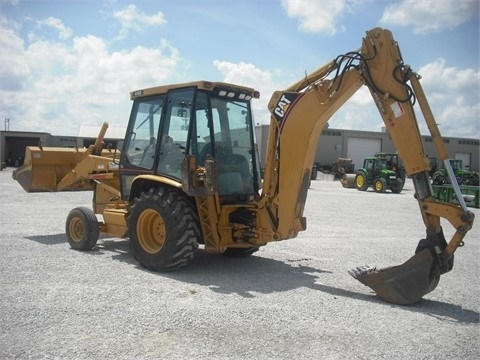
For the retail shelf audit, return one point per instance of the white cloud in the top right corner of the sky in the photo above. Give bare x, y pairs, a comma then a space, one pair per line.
427, 16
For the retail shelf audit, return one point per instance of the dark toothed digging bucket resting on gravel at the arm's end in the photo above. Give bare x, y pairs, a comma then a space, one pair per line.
407, 283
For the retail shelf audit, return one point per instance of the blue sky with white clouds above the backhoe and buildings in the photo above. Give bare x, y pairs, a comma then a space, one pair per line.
64, 64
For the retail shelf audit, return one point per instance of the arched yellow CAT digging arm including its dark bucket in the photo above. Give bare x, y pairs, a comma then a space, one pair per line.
300, 113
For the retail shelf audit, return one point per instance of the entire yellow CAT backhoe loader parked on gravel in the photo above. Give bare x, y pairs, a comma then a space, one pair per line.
188, 172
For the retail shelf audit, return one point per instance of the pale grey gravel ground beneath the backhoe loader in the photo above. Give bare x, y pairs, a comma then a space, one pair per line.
291, 300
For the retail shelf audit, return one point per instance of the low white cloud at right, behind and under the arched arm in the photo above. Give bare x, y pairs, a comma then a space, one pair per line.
453, 95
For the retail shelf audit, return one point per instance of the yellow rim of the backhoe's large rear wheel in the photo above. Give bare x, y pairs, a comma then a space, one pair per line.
151, 231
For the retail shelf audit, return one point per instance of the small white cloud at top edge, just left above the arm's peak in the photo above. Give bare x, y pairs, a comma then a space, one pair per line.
315, 16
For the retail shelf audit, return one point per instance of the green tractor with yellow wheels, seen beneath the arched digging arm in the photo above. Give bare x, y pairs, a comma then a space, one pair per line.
377, 174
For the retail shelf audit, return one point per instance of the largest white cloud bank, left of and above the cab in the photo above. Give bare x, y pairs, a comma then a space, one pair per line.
52, 87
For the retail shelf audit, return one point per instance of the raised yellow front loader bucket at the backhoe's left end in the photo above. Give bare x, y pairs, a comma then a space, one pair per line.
43, 168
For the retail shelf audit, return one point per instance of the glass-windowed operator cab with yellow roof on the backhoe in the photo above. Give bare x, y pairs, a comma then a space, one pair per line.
203, 119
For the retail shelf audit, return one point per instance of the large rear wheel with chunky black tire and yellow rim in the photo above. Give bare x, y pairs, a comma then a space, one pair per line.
164, 228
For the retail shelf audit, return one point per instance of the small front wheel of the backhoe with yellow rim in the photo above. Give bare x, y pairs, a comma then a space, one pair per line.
82, 228
